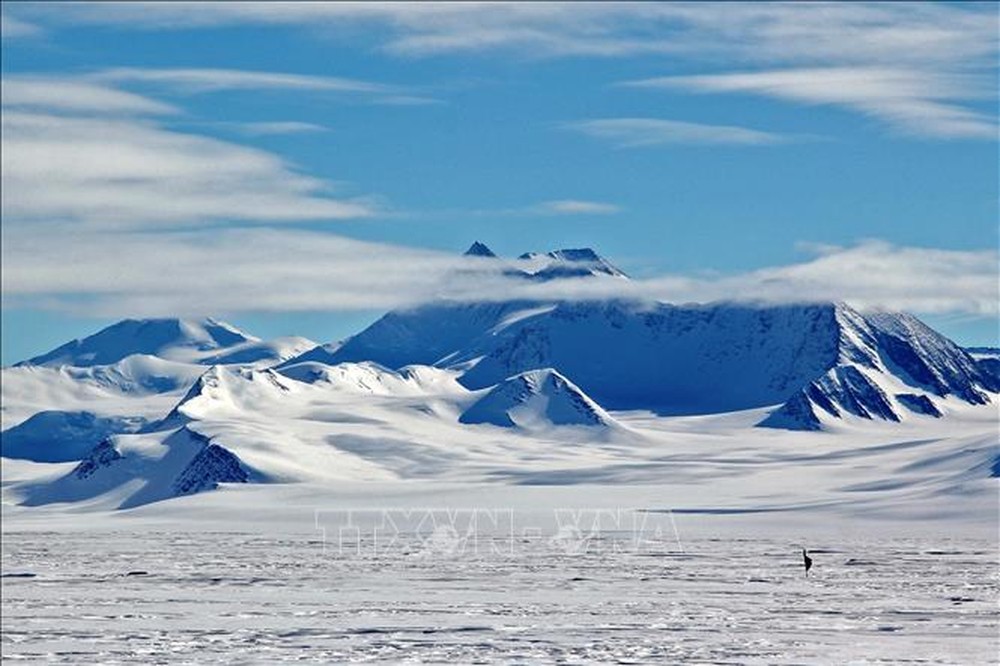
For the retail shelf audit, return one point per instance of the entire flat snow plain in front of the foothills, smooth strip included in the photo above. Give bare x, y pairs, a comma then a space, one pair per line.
296, 573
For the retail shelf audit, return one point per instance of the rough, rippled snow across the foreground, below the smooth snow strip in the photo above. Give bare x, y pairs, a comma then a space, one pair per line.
130, 595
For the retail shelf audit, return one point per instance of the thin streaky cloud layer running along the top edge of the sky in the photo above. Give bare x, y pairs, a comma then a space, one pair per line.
750, 32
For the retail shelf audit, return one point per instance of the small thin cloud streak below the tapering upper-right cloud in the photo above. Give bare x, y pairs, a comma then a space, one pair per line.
639, 132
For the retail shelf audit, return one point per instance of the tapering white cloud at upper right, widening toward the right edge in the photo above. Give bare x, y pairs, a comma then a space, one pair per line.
915, 102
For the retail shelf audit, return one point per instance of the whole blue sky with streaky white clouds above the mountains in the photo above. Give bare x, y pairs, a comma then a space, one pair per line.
299, 168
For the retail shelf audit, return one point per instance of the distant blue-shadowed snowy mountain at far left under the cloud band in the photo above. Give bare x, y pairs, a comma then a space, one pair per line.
172, 339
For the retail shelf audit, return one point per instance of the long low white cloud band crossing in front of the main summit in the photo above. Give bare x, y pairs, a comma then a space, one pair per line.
226, 271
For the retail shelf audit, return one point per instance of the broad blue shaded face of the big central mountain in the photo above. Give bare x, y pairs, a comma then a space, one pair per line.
676, 360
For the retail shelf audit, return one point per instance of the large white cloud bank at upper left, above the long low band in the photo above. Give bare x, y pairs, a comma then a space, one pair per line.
92, 154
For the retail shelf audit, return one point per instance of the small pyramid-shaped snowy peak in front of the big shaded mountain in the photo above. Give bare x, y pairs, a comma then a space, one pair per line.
537, 399
